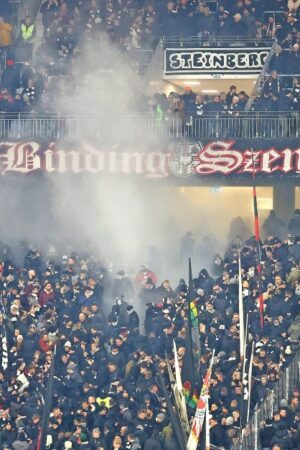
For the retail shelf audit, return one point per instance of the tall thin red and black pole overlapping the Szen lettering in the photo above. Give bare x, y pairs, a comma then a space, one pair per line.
257, 239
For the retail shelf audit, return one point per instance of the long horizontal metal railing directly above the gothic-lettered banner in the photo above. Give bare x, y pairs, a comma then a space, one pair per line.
108, 128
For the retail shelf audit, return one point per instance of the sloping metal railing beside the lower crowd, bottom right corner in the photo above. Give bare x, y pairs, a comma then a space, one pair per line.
282, 390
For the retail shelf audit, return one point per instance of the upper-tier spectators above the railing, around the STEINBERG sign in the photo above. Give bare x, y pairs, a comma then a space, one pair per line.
133, 25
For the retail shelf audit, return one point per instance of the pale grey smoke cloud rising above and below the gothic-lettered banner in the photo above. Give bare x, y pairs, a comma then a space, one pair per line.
126, 220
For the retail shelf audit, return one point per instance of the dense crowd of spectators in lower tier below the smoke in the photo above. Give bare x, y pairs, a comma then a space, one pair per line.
106, 393
